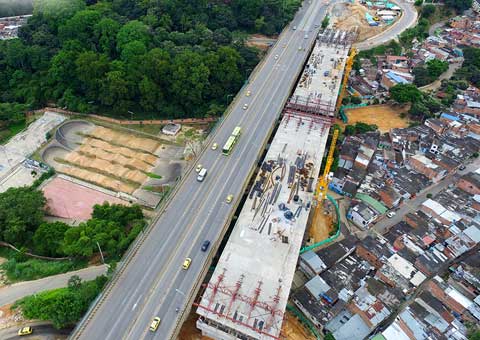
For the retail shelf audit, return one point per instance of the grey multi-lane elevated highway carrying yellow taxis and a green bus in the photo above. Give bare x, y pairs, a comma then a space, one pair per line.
153, 283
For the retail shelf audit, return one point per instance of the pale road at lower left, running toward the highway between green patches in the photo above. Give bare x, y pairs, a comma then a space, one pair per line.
12, 293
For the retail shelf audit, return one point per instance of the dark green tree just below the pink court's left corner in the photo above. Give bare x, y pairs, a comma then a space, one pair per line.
48, 239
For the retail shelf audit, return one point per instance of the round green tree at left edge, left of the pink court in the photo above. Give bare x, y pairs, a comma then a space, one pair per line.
17, 225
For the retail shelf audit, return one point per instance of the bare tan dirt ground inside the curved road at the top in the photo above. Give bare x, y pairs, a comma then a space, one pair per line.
347, 16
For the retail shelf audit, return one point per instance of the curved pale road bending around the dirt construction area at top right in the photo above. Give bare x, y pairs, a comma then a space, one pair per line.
408, 19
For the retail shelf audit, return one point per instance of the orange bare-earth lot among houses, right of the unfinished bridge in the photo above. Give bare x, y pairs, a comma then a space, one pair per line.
384, 116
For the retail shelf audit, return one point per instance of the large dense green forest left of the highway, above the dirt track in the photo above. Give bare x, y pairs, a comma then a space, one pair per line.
155, 58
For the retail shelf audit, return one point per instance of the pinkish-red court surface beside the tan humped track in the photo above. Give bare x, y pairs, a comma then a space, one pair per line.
66, 199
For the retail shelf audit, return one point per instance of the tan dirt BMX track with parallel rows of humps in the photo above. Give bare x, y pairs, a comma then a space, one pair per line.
109, 158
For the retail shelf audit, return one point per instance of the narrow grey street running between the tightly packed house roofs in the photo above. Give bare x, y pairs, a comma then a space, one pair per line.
410, 206
